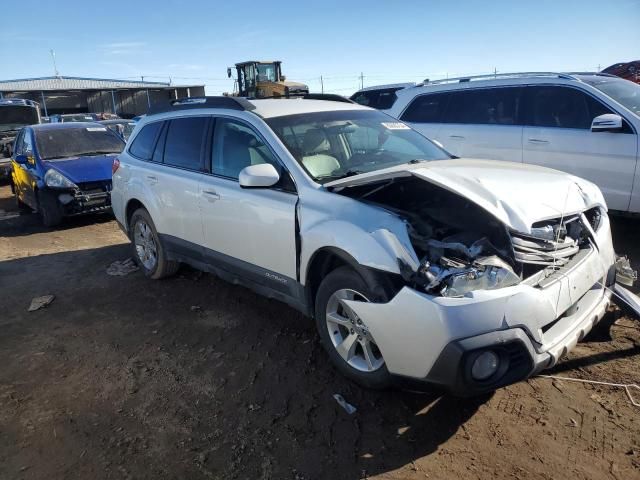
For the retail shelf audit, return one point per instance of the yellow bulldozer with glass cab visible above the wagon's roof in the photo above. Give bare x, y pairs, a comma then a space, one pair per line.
263, 79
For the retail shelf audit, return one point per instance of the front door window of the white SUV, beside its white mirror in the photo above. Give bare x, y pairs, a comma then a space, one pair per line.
560, 107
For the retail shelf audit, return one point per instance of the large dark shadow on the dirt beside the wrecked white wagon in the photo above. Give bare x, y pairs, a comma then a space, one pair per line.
214, 364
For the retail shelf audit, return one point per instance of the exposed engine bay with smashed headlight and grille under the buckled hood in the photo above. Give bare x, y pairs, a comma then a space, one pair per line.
463, 248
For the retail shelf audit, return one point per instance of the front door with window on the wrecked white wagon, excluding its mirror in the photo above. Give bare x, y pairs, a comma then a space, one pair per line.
248, 232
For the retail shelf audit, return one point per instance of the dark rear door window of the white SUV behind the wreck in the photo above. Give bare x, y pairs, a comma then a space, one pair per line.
492, 106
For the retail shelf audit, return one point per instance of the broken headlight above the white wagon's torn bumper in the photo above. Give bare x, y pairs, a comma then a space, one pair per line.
455, 278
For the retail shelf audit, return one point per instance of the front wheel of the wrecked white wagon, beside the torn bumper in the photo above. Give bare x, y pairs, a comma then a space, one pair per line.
345, 337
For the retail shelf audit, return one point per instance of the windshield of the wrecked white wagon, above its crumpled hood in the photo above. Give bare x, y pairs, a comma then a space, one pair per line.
333, 145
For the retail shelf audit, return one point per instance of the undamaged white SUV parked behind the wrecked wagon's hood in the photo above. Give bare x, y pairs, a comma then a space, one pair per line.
583, 124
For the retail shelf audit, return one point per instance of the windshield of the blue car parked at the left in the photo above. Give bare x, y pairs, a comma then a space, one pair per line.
76, 142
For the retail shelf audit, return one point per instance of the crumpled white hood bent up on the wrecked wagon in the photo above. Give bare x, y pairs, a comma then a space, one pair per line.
517, 194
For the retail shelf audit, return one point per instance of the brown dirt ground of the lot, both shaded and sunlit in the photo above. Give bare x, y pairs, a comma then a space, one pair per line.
190, 377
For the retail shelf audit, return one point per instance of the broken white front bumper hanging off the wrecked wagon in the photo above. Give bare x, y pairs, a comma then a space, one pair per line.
434, 340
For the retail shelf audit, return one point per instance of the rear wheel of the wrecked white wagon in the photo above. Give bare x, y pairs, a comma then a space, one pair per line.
148, 250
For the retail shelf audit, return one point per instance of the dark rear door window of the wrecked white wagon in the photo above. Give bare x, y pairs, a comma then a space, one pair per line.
185, 141
